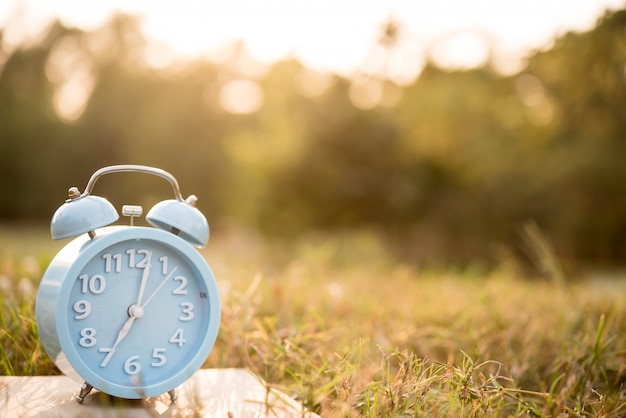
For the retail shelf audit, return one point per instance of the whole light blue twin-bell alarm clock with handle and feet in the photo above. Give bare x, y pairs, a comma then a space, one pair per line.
132, 311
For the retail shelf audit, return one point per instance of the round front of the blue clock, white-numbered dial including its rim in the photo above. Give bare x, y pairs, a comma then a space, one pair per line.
138, 316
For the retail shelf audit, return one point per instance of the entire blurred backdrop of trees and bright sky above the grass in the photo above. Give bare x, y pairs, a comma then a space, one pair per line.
452, 131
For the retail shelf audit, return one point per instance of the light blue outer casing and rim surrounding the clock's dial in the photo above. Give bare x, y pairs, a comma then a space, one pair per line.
73, 258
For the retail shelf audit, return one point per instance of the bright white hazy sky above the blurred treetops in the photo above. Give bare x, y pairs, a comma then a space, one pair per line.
329, 35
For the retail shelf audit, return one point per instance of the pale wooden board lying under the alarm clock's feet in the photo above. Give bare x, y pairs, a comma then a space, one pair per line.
224, 393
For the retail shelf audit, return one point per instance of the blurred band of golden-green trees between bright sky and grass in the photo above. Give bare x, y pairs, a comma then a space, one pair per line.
452, 171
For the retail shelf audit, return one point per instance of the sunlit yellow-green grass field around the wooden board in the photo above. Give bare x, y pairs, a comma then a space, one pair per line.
341, 326
